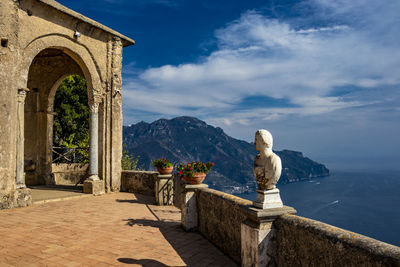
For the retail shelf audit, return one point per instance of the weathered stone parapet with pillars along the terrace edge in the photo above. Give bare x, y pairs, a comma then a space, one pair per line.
256, 237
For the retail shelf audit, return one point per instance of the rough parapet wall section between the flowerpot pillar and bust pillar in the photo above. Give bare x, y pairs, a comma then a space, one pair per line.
220, 218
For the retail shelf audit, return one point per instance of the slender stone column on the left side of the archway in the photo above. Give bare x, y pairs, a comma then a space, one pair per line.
20, 172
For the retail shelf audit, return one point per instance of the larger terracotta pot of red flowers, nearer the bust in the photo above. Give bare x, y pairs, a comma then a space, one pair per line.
194, 172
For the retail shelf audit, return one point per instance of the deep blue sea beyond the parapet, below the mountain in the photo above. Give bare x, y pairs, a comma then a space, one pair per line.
367, 203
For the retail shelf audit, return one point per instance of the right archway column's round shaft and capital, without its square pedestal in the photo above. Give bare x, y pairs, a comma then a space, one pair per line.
94, 142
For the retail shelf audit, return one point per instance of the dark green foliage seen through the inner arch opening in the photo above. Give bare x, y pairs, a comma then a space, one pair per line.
71, 122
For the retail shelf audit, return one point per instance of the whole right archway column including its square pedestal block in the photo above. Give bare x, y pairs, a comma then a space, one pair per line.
93, 185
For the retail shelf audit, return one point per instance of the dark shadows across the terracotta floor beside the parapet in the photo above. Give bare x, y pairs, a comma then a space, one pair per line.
180, 240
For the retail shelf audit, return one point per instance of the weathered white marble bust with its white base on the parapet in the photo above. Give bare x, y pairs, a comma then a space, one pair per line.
267, 170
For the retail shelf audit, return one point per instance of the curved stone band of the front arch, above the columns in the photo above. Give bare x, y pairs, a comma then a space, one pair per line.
77, 51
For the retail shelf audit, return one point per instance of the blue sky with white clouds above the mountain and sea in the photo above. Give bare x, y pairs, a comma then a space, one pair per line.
323, 76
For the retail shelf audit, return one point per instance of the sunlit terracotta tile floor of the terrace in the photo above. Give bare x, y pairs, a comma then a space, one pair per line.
120, 229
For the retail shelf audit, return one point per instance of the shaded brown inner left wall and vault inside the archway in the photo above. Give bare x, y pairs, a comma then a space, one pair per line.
47, 71
